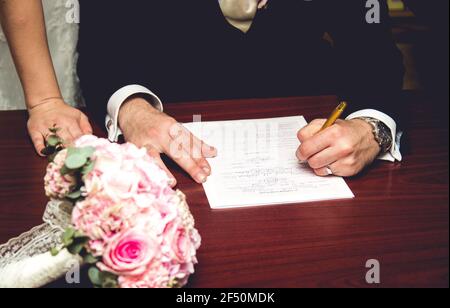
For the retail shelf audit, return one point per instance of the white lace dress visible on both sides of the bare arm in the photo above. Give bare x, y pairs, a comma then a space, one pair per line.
62, 37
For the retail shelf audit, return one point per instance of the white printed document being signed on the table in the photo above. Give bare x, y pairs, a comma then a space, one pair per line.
257, 165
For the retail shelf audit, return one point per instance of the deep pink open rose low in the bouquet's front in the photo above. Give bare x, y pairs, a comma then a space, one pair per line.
129, 254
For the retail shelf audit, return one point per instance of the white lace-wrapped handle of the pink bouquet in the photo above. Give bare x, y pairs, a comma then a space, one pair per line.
25, 261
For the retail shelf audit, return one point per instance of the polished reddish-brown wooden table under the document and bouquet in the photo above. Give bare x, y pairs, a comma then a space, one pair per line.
399, 216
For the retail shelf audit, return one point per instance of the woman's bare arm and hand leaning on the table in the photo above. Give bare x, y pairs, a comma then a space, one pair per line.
24, 26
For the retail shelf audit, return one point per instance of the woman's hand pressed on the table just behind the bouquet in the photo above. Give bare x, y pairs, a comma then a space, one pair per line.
56, 113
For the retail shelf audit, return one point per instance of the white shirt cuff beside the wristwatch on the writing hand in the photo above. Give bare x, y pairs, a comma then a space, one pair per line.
394, 154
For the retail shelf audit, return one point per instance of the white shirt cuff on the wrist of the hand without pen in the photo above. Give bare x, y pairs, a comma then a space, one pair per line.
116, 101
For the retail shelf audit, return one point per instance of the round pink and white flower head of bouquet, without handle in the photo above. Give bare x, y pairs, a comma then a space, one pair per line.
126, 222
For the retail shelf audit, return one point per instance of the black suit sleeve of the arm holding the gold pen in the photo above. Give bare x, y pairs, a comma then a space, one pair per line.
369, 63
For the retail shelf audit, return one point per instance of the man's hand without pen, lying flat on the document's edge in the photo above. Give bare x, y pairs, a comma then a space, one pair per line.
147, 127
